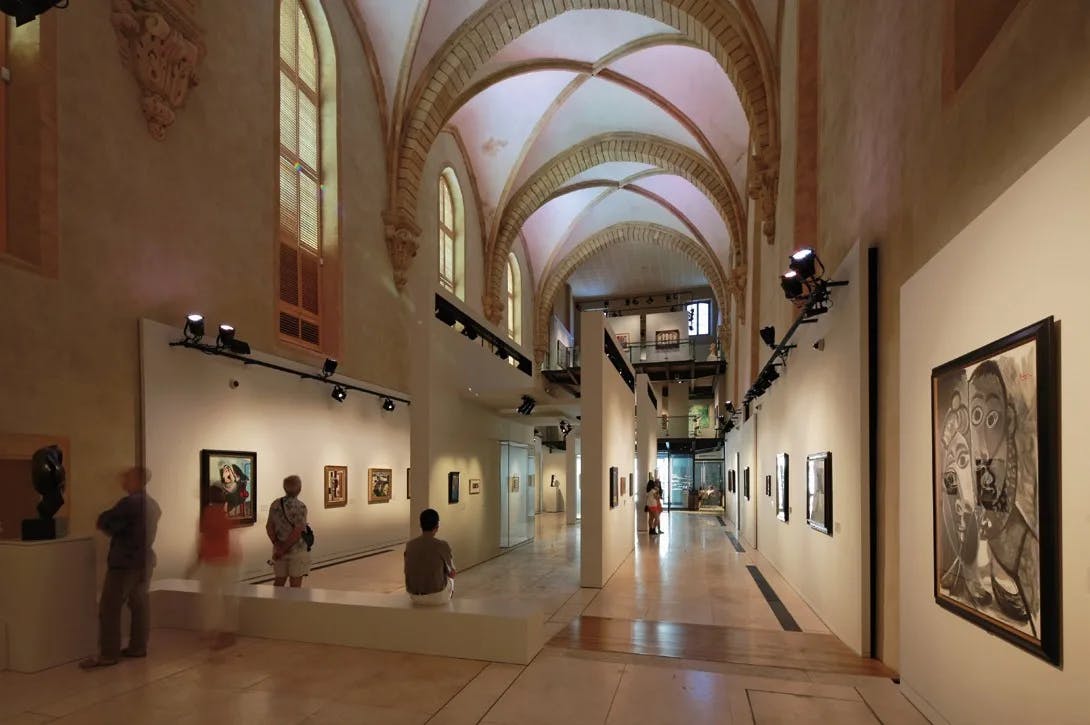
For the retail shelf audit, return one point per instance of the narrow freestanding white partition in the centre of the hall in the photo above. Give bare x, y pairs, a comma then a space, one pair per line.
609, 437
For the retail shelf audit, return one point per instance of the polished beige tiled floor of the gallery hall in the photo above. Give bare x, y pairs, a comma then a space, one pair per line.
692, 575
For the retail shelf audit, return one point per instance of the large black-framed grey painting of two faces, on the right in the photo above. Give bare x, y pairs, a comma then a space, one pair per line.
996, 489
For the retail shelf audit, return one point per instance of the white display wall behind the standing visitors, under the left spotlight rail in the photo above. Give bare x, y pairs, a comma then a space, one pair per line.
293, 425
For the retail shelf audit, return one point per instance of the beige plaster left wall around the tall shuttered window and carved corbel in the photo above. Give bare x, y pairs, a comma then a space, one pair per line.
158, 229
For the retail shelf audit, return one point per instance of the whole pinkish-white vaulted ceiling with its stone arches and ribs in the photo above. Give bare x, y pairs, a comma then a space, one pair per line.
578, 116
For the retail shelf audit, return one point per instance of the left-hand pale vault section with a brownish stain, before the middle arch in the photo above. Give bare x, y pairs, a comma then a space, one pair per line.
498, 123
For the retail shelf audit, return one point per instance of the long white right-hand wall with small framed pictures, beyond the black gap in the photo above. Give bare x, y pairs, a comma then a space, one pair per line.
818, 405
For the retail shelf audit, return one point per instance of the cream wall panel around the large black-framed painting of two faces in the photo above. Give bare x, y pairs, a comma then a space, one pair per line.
1018, 263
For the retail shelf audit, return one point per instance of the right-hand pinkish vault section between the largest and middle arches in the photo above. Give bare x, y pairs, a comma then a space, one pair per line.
694, 81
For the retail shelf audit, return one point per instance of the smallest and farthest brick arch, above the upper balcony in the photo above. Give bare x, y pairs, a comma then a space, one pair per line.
621, 234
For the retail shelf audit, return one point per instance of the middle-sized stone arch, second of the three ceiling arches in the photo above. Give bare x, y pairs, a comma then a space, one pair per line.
668, 155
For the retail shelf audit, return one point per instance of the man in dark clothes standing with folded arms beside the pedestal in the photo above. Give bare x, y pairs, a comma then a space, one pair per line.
131, 526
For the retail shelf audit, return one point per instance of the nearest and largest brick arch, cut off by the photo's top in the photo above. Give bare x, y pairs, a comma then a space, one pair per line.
718, 28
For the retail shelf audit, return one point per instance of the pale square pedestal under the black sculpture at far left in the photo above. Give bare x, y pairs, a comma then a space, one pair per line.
47, 602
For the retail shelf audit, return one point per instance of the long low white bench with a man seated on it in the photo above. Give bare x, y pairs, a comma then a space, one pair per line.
495, 631
